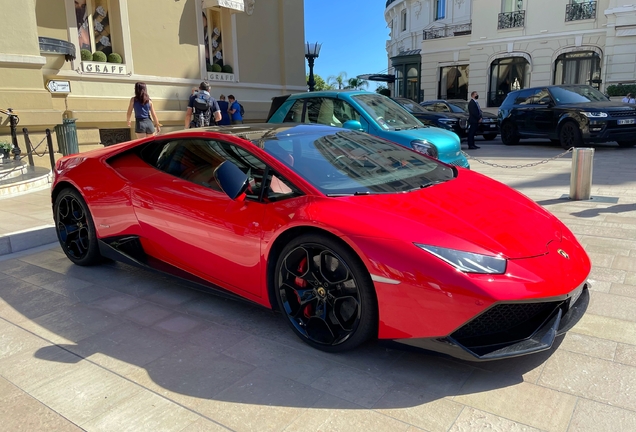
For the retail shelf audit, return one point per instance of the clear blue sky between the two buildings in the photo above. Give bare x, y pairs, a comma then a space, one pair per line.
353, 34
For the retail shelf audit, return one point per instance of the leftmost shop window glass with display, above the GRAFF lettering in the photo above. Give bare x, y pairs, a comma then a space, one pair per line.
93, 25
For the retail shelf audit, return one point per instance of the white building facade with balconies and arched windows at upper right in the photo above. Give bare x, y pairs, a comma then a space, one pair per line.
444, 49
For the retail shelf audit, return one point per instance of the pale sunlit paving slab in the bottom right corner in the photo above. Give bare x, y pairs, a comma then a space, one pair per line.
590, 416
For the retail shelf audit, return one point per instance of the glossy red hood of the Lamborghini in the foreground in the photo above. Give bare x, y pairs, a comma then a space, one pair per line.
471, 213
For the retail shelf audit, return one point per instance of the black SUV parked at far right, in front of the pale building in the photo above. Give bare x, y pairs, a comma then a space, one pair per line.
571, 115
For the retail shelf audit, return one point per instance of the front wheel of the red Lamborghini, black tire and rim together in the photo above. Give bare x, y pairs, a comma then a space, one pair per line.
332, 313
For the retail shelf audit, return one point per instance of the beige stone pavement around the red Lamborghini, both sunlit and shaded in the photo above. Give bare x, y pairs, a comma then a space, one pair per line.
117, 348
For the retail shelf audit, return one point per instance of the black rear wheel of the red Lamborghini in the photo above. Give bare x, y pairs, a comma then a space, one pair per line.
75, 228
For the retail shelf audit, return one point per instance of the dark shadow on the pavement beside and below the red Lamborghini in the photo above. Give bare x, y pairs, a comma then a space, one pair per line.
199, 349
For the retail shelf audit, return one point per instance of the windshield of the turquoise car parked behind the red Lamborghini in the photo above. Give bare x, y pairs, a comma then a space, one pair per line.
386, 112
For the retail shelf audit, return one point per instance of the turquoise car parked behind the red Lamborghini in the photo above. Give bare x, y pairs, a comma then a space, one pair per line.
372, 113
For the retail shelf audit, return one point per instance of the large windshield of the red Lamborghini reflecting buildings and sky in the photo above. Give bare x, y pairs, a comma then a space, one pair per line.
341, 162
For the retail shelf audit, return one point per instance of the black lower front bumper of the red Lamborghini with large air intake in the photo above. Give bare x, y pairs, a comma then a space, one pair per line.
511, 329
